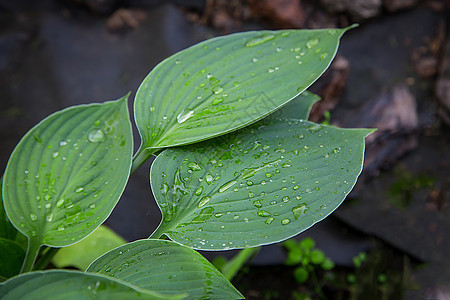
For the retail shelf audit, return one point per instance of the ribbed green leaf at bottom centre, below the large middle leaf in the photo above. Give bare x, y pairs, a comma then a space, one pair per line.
165, 267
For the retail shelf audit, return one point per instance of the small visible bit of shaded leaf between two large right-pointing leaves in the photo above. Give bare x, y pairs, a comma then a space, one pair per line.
297, 108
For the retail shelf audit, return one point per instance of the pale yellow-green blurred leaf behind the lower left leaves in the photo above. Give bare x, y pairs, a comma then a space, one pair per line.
85, 252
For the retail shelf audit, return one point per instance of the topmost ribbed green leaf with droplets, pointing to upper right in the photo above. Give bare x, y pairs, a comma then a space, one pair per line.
228, 82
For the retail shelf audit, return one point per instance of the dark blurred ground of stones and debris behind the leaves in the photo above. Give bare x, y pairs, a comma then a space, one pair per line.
390, 238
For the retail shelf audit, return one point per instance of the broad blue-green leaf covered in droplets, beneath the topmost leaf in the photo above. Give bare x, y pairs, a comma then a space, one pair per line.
262, 185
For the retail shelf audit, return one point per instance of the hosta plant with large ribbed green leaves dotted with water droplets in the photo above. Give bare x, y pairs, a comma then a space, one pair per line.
238, 165
